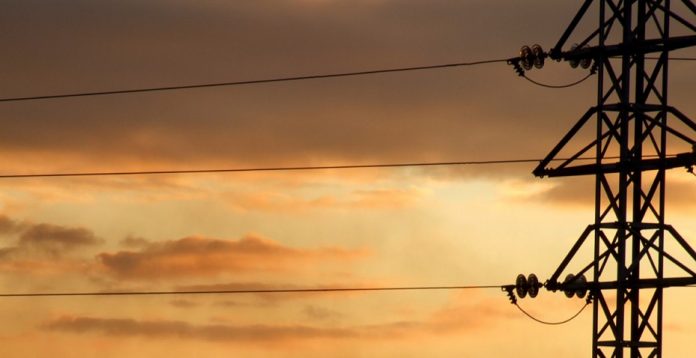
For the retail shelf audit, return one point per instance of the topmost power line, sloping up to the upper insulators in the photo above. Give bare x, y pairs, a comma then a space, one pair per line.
250, 82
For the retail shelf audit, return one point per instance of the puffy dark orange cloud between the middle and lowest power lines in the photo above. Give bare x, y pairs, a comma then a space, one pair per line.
200, 256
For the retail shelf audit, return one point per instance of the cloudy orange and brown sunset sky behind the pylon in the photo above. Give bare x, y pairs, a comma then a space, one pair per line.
433, 226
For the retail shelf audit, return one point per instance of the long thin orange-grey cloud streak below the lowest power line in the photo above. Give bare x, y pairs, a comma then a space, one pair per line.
462, 316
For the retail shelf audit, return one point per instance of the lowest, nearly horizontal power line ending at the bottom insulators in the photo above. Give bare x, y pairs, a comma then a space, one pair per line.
246, 291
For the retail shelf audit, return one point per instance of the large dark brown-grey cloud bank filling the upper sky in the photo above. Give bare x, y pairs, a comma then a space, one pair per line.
485, 112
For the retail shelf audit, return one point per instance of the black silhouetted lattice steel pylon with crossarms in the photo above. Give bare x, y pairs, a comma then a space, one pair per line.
630, 253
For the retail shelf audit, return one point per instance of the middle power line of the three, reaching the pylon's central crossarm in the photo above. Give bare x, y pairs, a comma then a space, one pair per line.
289, 168
